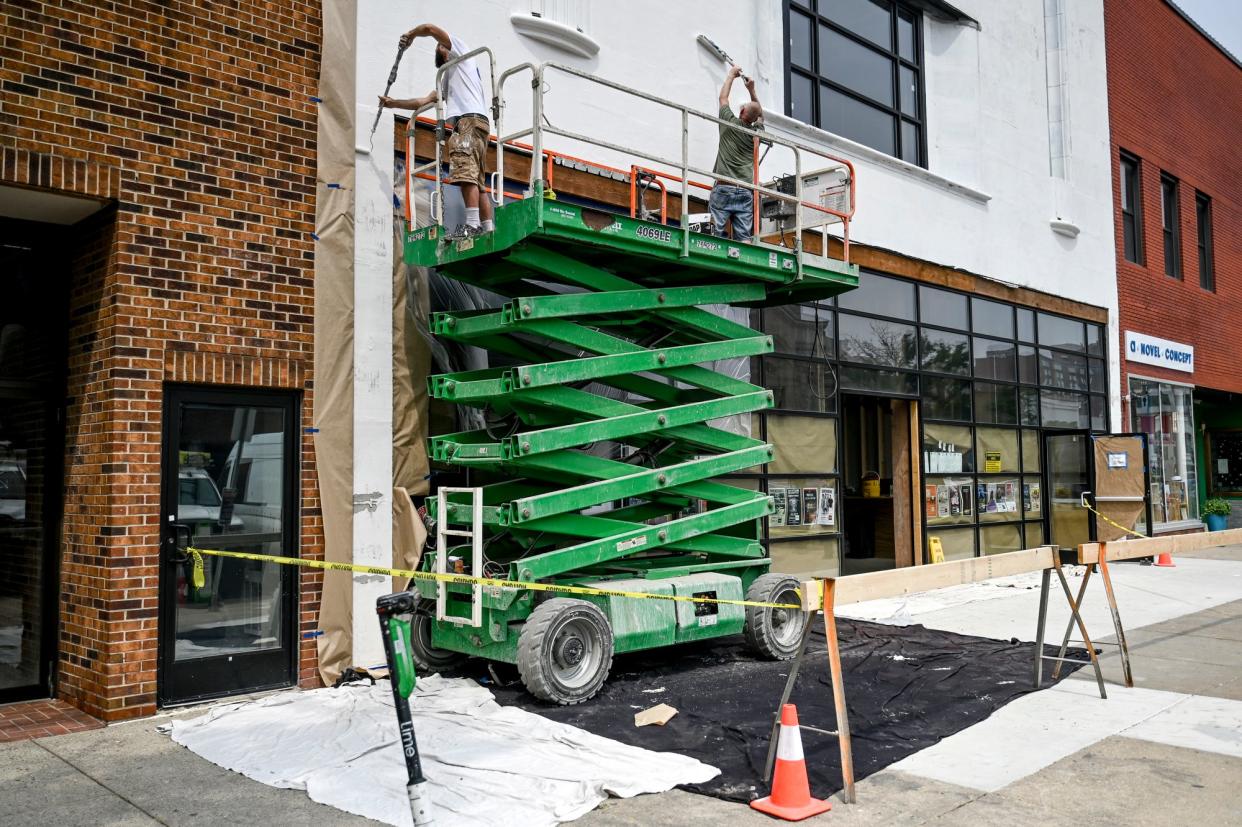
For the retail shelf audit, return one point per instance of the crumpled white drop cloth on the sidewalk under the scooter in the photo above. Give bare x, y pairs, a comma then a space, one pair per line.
486, 764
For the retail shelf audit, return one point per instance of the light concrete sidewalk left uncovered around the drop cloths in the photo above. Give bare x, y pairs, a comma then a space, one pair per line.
1164, 753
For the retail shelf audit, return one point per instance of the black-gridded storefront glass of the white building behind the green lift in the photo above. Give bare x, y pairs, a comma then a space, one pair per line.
989, 378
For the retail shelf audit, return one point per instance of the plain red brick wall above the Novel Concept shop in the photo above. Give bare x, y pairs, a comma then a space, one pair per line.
1176, 101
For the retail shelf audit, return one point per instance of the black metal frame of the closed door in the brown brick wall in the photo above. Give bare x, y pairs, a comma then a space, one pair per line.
225, 675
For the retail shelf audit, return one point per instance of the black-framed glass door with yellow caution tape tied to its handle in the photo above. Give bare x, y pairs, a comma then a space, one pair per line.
229, 484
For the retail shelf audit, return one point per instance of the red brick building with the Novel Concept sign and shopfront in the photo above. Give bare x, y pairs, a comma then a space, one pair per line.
1176, 104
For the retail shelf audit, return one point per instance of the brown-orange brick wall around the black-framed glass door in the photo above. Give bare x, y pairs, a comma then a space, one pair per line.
197, 121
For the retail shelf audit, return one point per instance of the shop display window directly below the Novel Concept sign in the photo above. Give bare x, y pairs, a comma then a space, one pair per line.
1166, 414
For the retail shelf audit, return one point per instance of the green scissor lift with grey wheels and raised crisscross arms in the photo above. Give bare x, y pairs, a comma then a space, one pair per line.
604, 343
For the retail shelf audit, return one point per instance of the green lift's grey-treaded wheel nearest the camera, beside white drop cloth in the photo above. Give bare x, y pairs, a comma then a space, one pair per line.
566, 651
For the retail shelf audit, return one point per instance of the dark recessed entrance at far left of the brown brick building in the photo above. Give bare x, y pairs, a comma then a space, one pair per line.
33, 332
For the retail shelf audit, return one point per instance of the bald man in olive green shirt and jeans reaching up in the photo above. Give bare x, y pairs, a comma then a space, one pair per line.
736, 158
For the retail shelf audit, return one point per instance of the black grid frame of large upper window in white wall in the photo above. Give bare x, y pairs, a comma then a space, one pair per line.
899, 9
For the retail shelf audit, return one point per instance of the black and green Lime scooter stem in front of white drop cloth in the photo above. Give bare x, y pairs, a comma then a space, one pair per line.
397, 613
